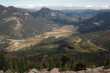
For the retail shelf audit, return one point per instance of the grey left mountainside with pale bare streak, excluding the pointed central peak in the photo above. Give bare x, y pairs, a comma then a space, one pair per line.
20, 23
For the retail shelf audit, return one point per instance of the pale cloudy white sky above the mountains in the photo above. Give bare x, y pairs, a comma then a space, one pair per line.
57, 3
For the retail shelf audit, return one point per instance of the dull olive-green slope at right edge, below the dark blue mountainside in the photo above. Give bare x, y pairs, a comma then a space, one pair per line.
100, 38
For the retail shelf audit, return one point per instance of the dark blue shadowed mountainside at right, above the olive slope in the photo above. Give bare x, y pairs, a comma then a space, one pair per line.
99, 22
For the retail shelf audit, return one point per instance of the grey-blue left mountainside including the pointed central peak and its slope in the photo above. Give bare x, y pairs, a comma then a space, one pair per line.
21, 23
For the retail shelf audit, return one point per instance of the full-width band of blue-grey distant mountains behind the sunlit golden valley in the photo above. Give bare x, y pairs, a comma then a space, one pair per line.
21, 23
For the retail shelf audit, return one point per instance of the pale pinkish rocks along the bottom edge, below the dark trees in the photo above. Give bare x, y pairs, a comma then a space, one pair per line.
56, 70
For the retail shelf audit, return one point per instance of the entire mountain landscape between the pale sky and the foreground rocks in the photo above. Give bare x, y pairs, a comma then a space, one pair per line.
48, 38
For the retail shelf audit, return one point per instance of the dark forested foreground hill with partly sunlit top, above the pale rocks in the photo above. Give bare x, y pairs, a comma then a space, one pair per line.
65, 53
